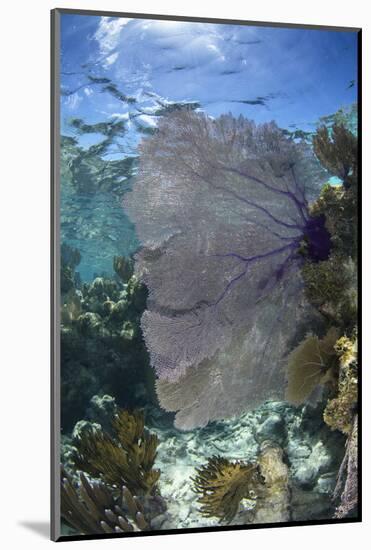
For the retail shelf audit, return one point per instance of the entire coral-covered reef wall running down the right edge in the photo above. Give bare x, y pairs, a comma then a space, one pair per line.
332, 288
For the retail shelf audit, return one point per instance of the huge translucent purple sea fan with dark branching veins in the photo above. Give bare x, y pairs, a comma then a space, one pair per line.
221, 209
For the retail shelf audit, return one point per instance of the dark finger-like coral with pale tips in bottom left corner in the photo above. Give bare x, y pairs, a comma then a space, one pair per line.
92, 507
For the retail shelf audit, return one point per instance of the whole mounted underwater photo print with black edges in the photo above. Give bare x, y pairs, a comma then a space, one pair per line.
205, 200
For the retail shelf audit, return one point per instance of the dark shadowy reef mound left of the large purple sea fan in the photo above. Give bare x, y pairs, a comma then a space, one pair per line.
102, 349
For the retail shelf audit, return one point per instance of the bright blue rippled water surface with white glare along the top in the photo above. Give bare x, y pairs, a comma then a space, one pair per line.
292, 76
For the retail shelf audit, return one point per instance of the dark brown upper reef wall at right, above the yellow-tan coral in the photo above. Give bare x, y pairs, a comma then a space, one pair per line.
331, 286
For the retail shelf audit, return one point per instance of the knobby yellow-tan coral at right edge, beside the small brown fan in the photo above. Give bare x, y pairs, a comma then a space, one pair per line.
339, 412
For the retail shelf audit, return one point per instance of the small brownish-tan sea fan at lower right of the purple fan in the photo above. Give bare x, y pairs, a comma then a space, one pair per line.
310, 364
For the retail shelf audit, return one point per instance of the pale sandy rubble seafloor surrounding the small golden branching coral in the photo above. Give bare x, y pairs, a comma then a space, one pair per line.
312, 453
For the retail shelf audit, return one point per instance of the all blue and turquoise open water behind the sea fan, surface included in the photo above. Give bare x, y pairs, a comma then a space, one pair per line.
130, 72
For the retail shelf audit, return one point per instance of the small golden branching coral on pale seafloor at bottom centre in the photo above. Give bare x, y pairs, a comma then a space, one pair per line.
222, 485
